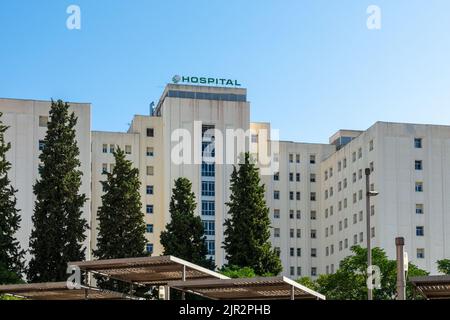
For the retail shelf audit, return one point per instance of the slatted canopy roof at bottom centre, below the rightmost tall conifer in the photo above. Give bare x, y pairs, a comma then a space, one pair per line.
261, 288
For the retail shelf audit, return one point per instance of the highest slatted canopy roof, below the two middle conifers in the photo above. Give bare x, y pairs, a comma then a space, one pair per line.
155, 271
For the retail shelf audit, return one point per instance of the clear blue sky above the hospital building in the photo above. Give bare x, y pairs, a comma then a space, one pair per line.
311, 66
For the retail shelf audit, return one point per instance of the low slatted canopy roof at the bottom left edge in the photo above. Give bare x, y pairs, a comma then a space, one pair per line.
60, 291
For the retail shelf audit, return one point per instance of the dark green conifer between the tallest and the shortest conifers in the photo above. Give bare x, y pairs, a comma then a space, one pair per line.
121, 229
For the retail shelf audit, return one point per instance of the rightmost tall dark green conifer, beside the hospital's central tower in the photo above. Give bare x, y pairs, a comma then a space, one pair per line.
247, 231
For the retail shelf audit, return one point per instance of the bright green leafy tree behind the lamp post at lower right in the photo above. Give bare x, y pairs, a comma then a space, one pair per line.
349, 281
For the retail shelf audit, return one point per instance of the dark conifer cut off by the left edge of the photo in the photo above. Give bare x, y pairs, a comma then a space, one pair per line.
11, 255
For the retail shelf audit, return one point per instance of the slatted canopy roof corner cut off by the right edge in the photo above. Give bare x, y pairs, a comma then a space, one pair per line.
432, 287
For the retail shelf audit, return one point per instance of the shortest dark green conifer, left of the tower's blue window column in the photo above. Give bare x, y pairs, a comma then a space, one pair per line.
184, 235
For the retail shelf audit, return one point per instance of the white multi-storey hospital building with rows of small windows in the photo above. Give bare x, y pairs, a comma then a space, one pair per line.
316, 196
